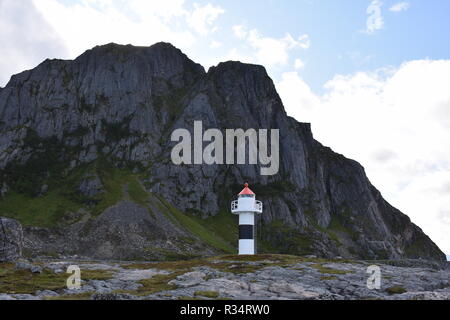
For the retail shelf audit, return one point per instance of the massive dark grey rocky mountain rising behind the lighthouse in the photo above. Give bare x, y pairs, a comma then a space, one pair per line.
85, 165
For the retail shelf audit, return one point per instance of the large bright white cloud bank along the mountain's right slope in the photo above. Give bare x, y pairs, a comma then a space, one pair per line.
396, 123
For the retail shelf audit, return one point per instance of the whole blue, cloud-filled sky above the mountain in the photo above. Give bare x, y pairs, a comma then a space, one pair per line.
371, 76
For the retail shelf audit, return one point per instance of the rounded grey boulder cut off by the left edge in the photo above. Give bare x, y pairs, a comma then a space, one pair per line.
11, 240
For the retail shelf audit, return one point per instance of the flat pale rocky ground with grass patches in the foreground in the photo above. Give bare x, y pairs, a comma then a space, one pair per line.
226, 277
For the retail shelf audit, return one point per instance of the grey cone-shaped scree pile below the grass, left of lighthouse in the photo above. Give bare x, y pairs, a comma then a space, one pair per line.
125, 231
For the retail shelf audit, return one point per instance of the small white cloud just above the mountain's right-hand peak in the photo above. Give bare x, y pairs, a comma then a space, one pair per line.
270, 52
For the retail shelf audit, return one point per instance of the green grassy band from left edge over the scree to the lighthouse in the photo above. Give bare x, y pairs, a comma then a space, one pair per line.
48, 210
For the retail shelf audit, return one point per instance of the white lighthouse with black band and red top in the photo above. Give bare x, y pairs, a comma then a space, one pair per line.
246, 206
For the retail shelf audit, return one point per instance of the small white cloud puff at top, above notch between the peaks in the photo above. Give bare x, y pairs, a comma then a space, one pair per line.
203, 17
